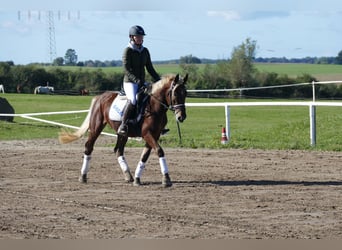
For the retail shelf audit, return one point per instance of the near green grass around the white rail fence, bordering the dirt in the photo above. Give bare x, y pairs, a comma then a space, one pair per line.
269, 127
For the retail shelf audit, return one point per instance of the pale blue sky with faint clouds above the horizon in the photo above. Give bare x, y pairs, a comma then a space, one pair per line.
98, 30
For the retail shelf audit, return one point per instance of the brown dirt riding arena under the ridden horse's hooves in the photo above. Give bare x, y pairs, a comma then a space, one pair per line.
244, 194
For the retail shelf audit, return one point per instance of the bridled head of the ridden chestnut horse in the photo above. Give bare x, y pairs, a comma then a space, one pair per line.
176, 97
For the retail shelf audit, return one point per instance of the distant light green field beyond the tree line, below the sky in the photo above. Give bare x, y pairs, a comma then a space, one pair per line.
323, 72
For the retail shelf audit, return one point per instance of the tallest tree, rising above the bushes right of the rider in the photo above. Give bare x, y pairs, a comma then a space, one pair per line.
241, 64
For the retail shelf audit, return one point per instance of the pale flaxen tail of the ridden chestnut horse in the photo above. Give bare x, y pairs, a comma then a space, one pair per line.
66, 137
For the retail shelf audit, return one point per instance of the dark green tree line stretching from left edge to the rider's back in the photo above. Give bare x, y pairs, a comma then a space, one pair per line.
24, 79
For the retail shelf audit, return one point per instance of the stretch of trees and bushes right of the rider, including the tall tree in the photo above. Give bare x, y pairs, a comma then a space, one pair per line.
240, 72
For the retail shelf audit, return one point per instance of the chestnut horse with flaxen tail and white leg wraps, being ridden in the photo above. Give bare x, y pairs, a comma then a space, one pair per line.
168, 93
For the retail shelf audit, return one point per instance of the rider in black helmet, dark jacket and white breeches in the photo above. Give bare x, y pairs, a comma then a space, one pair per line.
135, 58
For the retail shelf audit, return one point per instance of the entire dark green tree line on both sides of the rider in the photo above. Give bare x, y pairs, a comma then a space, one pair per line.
237, 72
